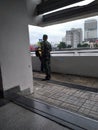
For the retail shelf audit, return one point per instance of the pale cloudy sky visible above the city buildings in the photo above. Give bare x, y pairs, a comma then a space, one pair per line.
55, 32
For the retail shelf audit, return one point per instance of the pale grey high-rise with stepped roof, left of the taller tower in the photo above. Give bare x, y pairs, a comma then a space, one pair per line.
74, 37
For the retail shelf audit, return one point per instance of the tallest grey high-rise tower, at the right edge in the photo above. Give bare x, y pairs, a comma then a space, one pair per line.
90, 30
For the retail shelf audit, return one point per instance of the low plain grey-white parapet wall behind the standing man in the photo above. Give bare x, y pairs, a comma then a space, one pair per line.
77, 65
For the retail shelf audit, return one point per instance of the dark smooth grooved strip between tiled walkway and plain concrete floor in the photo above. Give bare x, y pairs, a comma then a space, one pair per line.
64, 117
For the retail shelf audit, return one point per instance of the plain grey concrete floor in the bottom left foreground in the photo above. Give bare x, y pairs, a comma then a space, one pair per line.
14, 117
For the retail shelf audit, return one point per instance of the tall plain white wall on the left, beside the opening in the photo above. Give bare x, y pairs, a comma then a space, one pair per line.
15, 60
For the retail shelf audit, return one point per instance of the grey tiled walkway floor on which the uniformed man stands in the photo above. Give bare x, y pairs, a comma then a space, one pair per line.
75, 100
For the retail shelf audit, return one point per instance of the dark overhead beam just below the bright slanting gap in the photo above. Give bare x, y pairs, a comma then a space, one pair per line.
70, 13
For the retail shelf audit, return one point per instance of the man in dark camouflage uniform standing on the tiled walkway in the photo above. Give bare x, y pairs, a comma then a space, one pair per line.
46, 48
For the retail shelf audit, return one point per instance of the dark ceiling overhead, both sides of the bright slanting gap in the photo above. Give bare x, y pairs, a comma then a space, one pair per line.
66, 14
